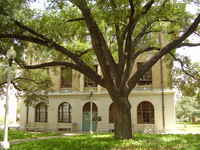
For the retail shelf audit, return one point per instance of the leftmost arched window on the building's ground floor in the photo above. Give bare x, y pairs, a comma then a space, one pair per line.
41, 112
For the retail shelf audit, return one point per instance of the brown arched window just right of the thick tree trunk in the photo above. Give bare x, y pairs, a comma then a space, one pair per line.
145, 113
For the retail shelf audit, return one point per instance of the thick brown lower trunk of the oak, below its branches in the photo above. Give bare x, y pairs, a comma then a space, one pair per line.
123, 128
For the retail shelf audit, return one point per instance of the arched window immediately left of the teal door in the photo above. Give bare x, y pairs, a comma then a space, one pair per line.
64, 113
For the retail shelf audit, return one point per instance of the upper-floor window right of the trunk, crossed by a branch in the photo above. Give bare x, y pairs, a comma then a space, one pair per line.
146, 79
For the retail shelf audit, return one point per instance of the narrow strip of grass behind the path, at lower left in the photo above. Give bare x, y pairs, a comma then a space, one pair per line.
18, 134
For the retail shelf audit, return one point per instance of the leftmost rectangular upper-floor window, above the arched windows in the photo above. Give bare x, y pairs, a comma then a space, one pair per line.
66, 77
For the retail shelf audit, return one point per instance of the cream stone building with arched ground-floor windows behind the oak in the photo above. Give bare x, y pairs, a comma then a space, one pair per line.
75, 97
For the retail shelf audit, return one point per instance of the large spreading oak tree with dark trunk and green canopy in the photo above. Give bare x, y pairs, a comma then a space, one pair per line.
115, 32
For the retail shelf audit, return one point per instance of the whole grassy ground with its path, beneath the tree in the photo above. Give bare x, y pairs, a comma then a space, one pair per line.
56, 141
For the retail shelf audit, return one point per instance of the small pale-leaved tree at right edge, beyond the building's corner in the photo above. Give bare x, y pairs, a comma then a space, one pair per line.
187, 80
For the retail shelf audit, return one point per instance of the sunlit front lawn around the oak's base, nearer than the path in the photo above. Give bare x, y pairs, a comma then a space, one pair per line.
107, 142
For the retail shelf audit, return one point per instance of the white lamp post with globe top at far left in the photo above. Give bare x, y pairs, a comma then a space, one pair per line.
11, 54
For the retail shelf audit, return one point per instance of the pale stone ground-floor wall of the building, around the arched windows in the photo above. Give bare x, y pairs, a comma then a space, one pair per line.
103, 102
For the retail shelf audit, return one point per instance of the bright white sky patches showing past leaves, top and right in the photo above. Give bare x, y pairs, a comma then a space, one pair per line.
192, 52
